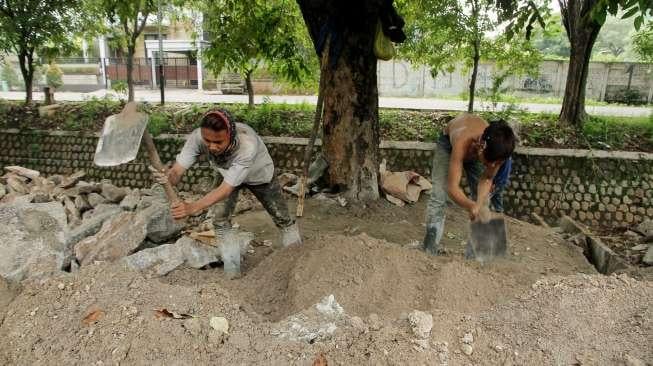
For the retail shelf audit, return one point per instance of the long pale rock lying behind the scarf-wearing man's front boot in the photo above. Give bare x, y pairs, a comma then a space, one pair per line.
163, 259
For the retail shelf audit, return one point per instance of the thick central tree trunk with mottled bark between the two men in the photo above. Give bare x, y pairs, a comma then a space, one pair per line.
350, 141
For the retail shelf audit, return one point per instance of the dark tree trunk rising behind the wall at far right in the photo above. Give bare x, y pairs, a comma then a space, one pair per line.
582, 31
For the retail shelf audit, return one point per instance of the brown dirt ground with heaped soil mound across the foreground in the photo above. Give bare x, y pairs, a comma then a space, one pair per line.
543, 305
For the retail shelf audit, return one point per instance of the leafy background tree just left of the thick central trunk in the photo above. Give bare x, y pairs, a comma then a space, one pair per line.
245, 35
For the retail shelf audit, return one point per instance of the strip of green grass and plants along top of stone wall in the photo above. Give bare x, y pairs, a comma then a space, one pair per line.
296, 120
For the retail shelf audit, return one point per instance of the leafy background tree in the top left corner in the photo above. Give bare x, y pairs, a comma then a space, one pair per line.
32, 28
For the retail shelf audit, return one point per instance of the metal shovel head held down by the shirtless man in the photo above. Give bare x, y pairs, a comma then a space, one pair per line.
488, 239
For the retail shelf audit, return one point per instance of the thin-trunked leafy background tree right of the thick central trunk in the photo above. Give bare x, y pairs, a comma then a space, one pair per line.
445, 33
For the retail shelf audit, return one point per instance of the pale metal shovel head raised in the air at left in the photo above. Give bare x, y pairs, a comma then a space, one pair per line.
121, 137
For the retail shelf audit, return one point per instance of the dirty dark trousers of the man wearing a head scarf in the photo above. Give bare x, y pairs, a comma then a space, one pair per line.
269, 194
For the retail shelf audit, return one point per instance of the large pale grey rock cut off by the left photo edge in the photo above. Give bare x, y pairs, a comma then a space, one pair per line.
33, 239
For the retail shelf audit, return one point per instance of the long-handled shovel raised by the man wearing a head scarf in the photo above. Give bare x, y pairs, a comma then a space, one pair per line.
121, 139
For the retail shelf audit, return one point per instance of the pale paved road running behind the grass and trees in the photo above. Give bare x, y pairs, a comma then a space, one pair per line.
197, 96
